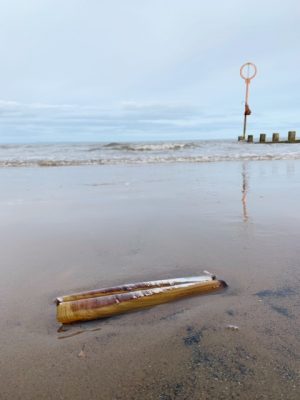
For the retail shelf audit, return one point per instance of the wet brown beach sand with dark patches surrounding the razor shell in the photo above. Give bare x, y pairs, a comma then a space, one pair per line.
70, 229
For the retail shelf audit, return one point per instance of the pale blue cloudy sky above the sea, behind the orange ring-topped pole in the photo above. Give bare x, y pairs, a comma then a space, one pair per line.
118, 70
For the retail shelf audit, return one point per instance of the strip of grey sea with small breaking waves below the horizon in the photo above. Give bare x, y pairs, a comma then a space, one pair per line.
166, 152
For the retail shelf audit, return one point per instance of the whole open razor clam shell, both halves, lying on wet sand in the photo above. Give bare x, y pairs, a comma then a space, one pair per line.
130, 297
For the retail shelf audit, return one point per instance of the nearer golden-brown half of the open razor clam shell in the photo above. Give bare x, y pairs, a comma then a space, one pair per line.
106, 306
